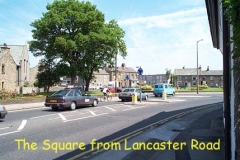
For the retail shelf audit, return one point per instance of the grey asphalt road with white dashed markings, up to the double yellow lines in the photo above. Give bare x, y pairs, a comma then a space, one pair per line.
45, 134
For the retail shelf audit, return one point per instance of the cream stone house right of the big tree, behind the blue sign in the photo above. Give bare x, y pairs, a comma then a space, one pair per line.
122, 72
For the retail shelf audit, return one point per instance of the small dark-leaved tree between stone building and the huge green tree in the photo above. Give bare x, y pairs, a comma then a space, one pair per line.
48, 74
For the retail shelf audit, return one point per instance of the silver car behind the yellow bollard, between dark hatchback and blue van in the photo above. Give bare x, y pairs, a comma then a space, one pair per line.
127, 94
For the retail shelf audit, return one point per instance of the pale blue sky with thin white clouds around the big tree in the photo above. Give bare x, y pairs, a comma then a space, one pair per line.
160, 34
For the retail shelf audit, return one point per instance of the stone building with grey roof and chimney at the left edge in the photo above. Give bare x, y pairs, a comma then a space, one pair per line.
15, 67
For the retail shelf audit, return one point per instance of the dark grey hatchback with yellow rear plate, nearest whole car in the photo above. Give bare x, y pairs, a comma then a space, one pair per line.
70, 98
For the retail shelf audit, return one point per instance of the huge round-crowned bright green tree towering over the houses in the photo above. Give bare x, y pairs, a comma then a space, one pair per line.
76, 33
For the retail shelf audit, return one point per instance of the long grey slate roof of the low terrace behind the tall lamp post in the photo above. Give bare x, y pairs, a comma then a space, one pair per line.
193, 71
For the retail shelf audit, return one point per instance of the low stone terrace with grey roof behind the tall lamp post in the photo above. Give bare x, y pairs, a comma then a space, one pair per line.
188, 77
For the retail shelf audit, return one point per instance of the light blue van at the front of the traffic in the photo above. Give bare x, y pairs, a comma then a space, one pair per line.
160, 87
